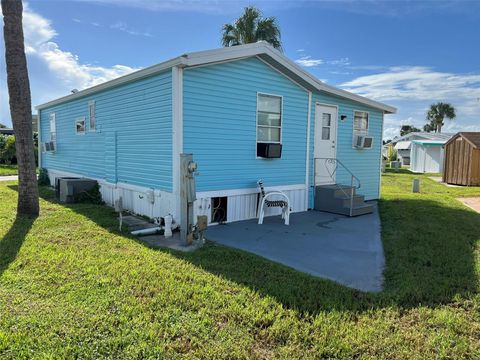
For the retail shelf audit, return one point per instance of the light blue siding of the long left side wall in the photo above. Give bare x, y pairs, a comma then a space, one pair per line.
133, 140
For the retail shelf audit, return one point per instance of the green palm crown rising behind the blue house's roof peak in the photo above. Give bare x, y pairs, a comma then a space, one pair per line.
250, 28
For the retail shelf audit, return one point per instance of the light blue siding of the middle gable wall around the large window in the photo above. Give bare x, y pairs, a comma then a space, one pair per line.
219, 124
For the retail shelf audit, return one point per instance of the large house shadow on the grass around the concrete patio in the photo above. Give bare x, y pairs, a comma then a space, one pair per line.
429, 248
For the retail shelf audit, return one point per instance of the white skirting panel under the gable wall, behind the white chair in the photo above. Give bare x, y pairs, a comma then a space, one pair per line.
242, 204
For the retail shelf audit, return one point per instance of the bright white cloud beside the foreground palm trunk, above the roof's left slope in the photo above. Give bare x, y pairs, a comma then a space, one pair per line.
56, 71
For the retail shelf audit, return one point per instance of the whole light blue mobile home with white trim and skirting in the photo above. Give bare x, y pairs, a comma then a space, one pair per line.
232, 108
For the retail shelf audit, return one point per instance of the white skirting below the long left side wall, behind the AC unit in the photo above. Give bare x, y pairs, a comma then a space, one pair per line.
137, 199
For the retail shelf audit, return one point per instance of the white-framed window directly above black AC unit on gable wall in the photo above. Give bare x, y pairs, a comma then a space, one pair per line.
269, 118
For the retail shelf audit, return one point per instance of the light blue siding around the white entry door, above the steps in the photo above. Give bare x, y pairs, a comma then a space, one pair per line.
364, 163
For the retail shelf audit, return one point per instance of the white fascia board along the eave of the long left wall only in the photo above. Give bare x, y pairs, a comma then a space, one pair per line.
151, 70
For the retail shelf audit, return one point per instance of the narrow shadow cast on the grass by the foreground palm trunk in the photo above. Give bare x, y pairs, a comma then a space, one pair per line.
12, 241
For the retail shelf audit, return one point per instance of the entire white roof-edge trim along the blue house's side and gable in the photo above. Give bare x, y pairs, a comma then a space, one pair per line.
224, 54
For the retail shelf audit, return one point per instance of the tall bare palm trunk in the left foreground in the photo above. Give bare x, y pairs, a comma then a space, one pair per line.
20, 106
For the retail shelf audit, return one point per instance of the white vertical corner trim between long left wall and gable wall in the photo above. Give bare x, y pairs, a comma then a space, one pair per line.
177, 133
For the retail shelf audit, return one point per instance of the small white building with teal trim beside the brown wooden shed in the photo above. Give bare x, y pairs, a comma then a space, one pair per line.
427, 156
